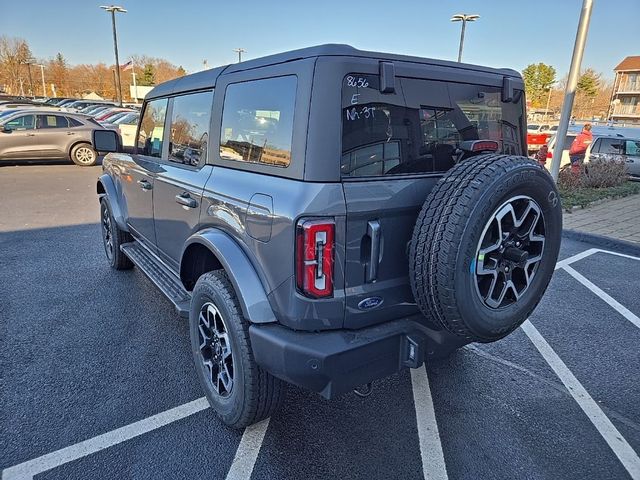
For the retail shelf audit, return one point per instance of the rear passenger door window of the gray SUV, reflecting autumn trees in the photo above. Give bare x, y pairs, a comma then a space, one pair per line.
190, 128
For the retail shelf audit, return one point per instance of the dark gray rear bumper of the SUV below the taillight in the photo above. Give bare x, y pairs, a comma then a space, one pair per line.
334, 362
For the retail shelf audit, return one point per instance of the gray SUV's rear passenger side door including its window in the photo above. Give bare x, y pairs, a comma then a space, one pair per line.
177, 191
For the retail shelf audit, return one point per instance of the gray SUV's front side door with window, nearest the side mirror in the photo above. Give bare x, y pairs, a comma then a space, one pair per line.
142, 169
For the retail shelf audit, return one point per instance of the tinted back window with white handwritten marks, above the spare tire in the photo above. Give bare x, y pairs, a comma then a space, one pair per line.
418, 128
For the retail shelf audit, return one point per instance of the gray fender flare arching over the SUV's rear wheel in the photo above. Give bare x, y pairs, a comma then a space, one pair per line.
248, 286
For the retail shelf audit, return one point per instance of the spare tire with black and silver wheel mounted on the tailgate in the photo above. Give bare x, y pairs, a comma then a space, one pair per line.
485, 246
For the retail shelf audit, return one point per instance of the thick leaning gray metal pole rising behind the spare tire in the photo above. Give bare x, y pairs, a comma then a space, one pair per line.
572, 83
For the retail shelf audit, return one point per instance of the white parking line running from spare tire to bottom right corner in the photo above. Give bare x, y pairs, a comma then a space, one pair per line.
609, 432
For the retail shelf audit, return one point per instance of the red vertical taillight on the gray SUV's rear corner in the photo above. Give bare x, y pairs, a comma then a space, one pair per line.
314, 257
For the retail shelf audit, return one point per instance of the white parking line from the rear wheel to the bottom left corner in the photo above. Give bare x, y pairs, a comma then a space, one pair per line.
68, 454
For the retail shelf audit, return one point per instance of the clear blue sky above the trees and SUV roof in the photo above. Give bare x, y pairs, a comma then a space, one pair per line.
510, 33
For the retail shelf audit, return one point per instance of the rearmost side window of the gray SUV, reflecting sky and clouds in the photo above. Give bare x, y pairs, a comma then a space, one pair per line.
257, 121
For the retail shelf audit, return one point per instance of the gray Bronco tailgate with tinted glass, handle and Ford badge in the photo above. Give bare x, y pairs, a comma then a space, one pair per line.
395, 147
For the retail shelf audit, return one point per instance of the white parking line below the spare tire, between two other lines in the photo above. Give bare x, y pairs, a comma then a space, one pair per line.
433, 466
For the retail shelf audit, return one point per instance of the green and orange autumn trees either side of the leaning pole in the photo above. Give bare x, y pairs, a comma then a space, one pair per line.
593, 92
